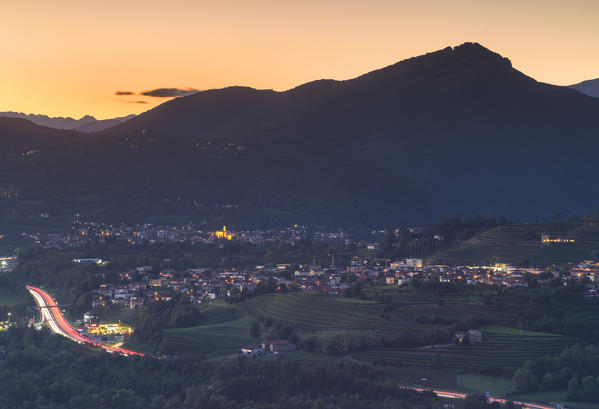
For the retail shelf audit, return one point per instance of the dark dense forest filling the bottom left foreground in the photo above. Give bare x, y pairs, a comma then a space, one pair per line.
44, 370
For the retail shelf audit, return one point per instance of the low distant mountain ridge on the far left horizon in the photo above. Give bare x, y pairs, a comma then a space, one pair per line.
86, 123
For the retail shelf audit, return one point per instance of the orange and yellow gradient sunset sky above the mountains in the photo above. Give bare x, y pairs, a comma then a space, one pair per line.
69, 57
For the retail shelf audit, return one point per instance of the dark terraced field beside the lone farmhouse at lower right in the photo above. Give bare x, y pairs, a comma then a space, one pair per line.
500, 345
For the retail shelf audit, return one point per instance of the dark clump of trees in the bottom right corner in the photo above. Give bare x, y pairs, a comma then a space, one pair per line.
576, 368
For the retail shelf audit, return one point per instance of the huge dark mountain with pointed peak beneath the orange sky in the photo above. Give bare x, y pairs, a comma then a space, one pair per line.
453, 132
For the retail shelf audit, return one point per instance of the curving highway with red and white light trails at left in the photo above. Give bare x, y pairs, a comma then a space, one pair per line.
59, 325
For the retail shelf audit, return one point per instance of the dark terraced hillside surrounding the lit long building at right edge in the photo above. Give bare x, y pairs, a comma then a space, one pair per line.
517, 243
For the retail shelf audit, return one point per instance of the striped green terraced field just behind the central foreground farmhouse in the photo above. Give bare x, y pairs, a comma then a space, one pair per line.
225, 328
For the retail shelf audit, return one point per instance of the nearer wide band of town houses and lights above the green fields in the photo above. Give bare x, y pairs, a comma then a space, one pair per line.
142, 285
